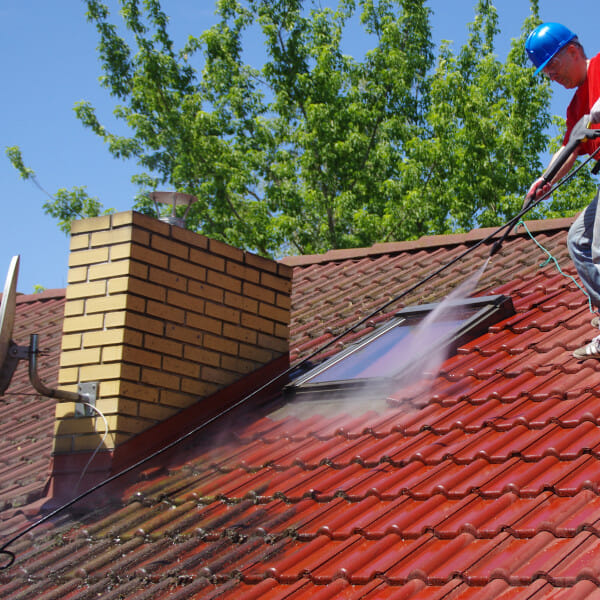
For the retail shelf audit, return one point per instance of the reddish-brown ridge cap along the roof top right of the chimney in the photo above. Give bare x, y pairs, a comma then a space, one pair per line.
428, 242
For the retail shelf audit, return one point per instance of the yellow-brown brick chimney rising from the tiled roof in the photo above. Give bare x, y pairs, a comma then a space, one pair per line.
163, 319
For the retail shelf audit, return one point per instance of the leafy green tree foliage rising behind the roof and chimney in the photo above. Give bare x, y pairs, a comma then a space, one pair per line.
317, 149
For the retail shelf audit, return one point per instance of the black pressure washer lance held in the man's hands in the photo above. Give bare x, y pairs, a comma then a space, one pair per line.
580, 133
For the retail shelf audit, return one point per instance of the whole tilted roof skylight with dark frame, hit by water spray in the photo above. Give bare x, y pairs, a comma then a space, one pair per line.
412, 335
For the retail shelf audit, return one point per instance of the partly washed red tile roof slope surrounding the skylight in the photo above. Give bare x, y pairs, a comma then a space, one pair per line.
482, 484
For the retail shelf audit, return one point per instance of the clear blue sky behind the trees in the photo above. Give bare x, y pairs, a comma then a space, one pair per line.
50, 63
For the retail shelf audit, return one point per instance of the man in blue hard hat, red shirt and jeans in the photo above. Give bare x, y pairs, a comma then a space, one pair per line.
556, 52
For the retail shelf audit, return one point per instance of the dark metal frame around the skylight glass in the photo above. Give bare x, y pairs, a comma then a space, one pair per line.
488, 310
